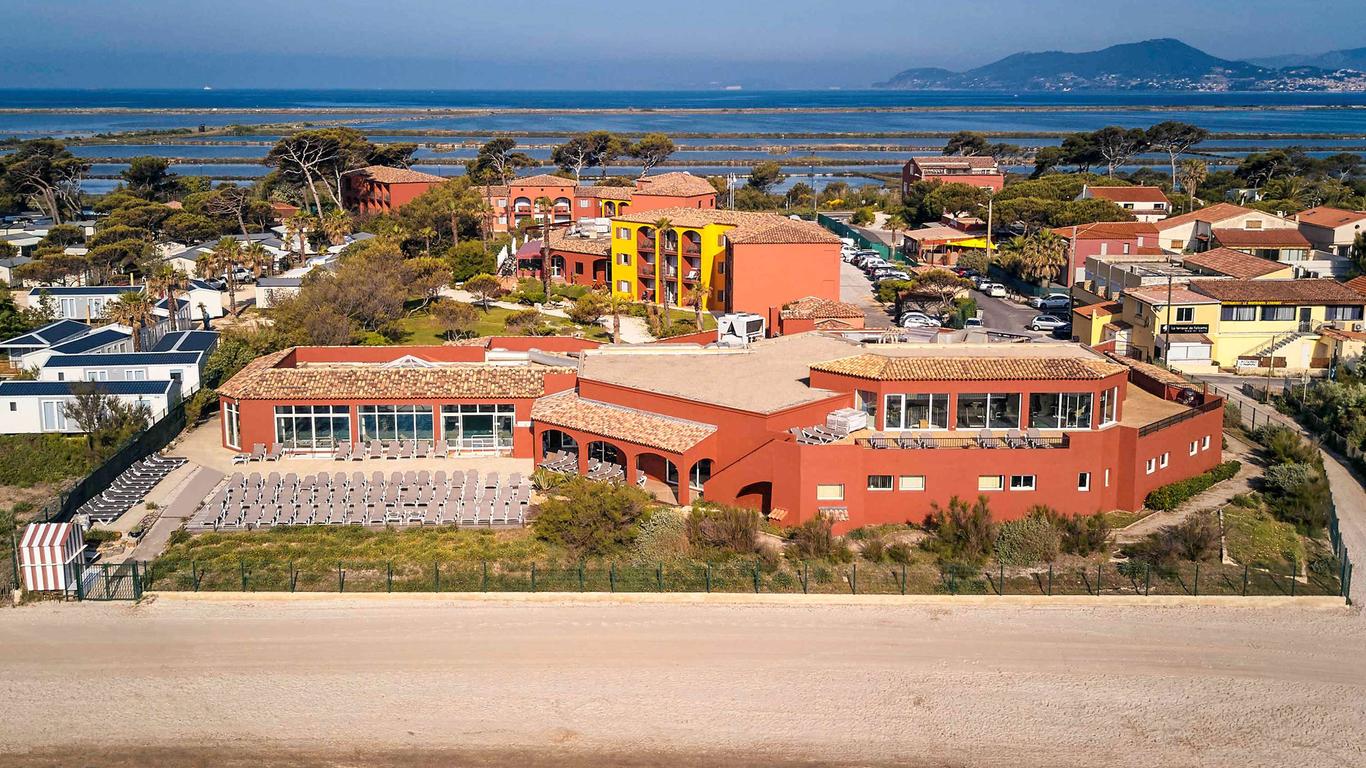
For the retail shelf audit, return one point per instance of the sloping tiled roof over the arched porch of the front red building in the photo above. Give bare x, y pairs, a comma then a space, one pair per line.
643, 428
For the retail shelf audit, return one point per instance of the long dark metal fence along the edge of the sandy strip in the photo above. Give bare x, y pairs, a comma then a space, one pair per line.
1096, 579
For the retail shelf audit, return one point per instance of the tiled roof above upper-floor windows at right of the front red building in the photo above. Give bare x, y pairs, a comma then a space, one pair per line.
971, 368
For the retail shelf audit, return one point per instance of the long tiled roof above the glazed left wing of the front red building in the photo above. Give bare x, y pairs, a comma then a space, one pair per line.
264, 379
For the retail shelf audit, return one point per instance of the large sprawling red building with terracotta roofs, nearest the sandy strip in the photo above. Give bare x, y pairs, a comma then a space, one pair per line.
945, 419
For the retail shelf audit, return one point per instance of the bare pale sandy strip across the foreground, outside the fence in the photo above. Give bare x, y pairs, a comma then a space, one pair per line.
409, 683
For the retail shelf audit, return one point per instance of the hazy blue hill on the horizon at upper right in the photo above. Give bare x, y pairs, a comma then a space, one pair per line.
1154, 65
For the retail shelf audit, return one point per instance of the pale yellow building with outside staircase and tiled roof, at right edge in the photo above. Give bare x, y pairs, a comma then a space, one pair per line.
1240, 323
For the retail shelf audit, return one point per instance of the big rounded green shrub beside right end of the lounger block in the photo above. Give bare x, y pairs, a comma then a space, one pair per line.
592, 519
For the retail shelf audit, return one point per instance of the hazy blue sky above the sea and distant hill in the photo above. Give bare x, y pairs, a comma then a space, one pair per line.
592, 44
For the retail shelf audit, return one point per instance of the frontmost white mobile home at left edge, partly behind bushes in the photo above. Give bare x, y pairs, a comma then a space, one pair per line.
42, 407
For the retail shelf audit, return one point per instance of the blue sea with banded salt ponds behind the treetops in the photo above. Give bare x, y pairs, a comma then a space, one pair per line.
789, 126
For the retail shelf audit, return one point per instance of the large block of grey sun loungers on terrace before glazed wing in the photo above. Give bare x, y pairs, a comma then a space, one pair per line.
412, 498
